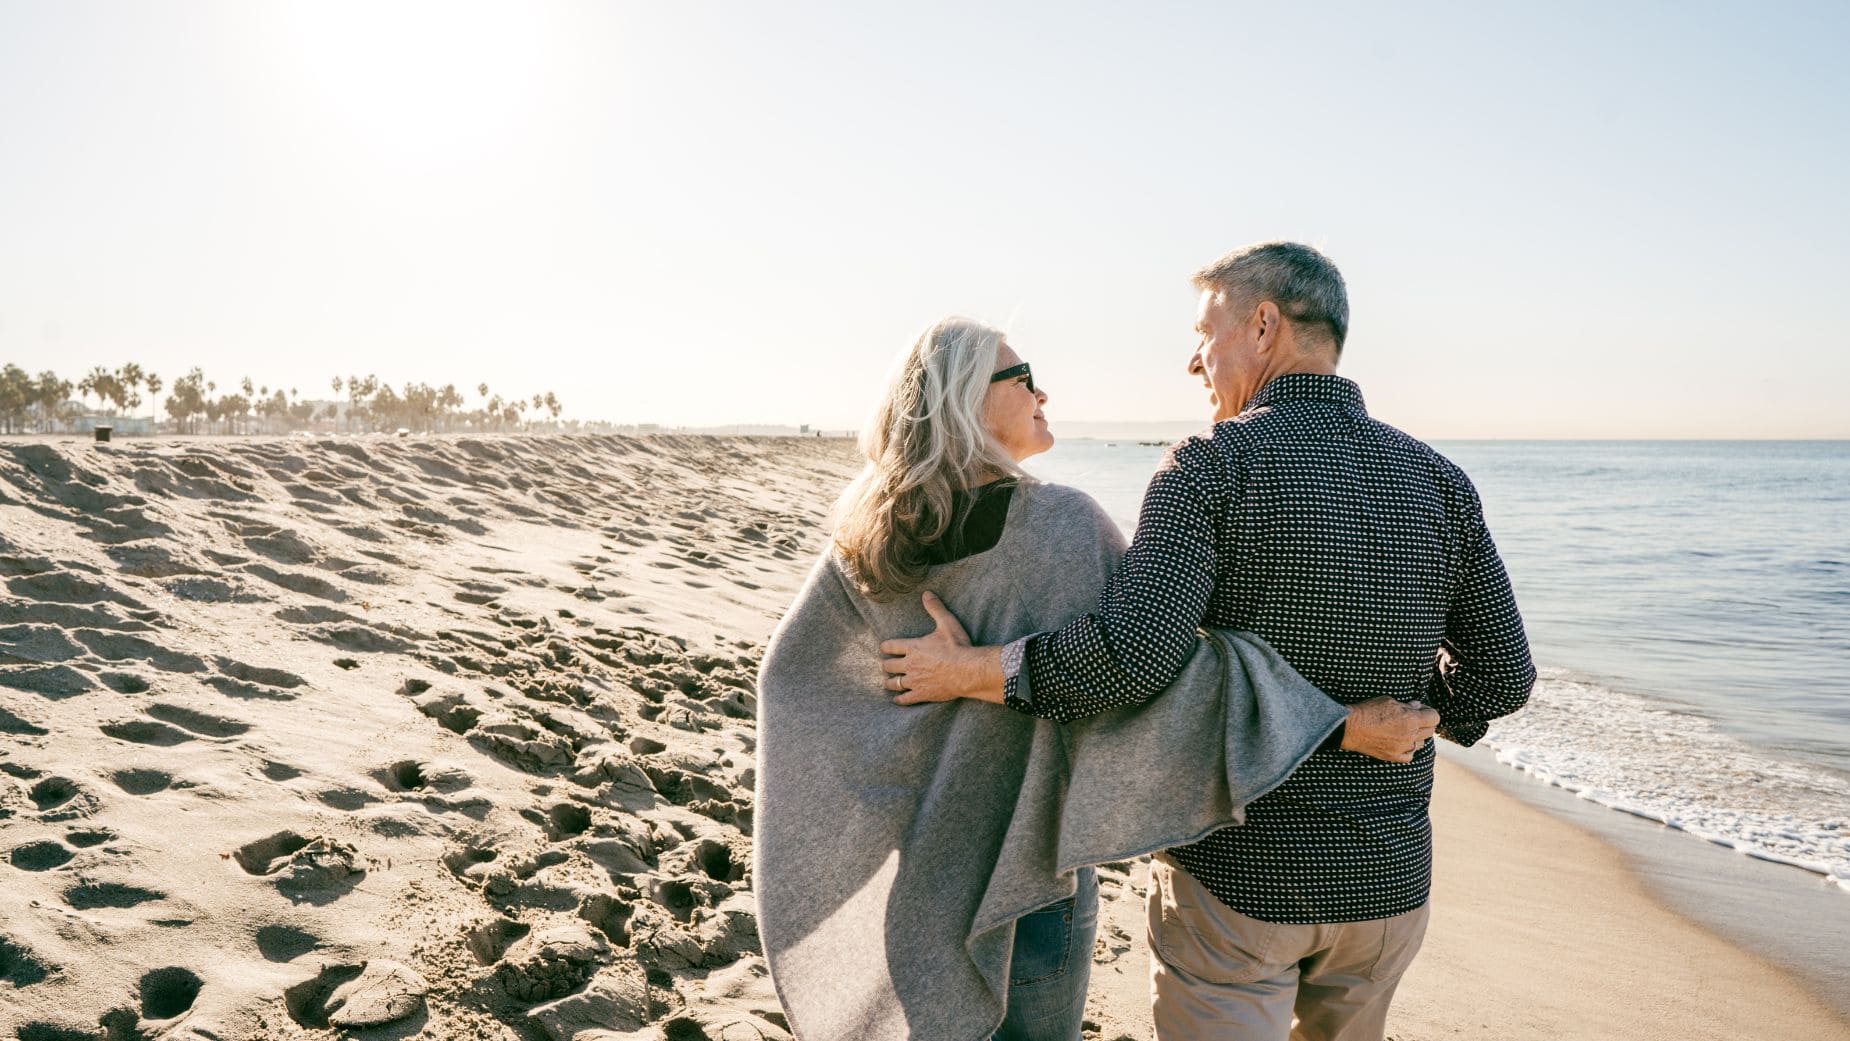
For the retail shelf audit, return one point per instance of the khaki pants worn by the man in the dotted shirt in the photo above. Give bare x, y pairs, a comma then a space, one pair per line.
1226, 977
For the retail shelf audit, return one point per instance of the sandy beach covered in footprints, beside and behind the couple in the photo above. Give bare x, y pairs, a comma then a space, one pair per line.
454, 739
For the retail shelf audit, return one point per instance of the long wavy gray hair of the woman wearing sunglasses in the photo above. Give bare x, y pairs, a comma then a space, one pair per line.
924, 443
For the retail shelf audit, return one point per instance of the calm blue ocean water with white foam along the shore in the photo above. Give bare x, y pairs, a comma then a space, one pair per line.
1690, 613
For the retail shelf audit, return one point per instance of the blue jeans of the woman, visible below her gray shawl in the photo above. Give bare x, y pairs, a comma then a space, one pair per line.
1052, 966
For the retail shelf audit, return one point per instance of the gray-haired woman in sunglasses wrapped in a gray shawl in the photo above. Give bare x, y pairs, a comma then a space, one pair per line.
926, 872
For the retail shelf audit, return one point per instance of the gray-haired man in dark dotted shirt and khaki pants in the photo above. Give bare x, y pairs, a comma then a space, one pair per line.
1361, 554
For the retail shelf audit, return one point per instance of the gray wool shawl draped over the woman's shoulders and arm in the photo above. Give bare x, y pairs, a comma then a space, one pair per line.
896, 846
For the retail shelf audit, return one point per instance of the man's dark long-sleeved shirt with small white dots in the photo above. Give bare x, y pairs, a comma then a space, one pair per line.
1361, 554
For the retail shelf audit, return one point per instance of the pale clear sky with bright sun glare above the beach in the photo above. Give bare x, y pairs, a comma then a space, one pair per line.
1555, 219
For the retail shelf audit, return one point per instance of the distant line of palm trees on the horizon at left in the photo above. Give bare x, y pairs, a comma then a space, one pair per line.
43, 404
